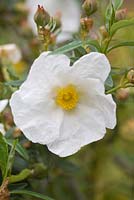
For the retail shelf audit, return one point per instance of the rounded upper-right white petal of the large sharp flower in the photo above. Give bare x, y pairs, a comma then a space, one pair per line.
92, 65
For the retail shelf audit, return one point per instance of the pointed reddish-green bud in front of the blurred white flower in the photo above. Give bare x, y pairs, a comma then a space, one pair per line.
41, 17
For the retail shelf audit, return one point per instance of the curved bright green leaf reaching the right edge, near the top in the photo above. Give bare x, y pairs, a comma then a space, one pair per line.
121, 24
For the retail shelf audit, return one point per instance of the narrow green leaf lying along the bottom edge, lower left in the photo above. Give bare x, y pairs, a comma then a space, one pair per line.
30, 193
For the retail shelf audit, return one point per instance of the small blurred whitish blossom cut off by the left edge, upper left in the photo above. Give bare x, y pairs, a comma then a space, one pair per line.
10, 52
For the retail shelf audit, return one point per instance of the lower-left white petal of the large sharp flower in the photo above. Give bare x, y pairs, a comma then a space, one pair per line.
40, 122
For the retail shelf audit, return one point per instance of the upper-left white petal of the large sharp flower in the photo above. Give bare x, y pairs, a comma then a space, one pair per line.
42, 75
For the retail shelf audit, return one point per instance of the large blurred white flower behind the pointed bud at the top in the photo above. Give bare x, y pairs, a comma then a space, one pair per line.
70, 15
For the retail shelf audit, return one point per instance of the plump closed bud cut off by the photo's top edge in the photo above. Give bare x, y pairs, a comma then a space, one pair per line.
89, 6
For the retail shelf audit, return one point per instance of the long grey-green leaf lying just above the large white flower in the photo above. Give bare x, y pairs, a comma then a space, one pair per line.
76, 44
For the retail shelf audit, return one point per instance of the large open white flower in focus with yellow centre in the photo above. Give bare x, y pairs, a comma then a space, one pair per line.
65, 107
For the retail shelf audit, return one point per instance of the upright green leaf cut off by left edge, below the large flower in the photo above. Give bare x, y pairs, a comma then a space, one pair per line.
3, 154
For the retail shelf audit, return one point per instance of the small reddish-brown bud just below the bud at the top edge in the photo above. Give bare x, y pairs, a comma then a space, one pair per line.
86, 23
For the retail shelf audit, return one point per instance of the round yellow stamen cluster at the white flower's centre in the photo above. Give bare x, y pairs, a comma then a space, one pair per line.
67, 97
